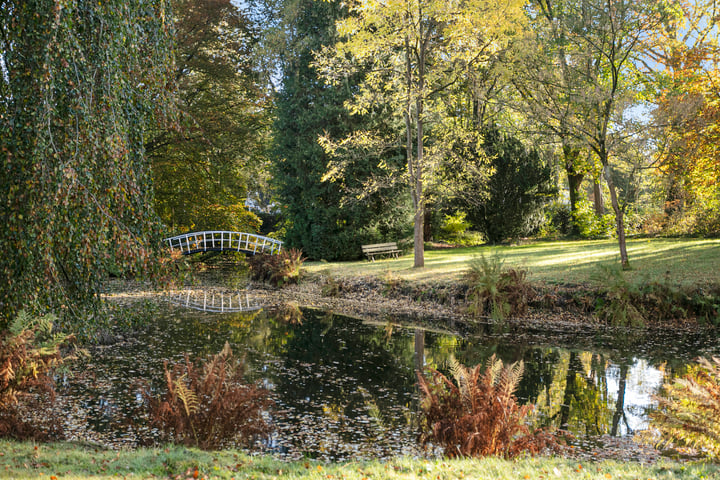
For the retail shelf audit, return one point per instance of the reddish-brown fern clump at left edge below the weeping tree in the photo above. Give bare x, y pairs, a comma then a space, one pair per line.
29, 352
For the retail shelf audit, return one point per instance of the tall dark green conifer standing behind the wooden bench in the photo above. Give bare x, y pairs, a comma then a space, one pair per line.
322, 216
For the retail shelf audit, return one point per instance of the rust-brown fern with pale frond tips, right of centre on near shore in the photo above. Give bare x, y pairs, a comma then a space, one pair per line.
478, 414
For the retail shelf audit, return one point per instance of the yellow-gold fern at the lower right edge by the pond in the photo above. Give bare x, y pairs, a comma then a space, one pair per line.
688, 413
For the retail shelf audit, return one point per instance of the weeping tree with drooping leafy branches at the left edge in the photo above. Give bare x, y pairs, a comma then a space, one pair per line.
80, 84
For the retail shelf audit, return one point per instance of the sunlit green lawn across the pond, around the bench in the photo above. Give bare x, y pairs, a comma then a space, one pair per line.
682, 261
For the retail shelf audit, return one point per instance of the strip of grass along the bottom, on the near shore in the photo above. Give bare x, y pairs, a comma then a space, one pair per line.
69, 461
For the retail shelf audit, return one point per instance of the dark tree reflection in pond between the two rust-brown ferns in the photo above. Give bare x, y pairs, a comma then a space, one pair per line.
347, 387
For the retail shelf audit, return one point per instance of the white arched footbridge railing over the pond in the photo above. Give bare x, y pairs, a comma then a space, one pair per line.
222, 240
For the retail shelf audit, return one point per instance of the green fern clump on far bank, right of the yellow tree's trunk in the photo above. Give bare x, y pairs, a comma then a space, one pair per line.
496, 291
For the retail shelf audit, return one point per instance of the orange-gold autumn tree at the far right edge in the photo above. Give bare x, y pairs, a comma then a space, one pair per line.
683, 63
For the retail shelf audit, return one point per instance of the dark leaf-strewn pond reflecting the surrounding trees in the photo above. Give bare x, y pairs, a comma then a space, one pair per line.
346, 388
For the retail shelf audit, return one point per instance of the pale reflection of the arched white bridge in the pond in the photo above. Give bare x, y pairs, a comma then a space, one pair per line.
214, 300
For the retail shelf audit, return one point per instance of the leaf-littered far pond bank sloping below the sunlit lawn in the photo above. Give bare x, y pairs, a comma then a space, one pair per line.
559, 307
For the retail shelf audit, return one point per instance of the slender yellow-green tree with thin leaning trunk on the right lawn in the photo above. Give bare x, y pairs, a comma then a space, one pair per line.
601, 41
